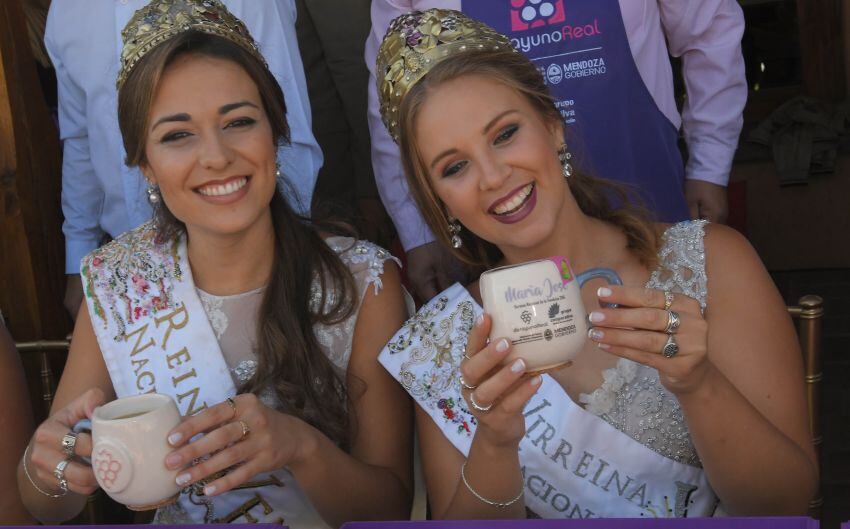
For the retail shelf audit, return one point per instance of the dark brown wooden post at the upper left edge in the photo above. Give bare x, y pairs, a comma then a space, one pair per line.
31, 243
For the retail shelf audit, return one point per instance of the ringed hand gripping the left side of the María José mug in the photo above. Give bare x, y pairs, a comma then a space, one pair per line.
496, 394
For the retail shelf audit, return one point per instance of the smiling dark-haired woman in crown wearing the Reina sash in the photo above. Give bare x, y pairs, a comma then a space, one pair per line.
263, 328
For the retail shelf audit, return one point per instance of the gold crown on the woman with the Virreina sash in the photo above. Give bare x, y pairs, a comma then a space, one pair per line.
418, 41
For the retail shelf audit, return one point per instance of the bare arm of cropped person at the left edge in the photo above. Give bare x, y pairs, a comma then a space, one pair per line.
17, 424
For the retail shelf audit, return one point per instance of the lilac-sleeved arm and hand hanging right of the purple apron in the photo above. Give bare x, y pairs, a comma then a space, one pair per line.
707, 36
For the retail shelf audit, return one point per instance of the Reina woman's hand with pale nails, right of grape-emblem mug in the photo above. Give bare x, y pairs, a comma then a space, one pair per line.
241, 436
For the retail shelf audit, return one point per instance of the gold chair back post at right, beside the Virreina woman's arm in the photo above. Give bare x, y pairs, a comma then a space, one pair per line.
808, 315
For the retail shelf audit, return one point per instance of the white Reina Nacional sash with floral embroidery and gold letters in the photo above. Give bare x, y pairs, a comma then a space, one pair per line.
155, 337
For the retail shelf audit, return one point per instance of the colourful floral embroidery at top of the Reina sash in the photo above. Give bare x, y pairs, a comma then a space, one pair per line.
131, 277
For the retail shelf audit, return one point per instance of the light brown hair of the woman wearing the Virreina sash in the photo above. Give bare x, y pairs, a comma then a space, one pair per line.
593, 195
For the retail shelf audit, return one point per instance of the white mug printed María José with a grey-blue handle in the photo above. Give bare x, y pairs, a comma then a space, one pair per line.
538, 306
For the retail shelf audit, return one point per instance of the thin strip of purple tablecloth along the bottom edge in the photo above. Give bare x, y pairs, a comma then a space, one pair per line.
608, 523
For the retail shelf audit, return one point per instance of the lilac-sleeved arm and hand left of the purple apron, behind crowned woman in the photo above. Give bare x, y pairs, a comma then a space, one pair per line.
428, 264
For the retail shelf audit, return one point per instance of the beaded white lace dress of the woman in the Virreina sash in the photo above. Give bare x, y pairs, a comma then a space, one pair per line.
631, 397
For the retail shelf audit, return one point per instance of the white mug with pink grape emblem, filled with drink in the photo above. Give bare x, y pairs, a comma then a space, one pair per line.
129, 446
